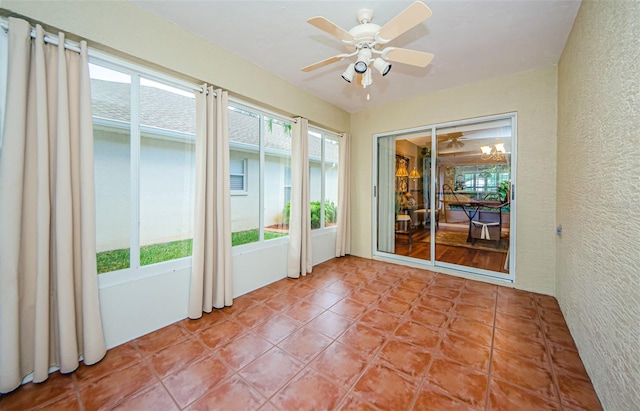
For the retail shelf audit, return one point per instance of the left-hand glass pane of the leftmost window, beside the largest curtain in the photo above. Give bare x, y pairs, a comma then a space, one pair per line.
110, 100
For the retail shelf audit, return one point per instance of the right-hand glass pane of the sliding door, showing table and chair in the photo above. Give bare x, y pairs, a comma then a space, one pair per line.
474, 162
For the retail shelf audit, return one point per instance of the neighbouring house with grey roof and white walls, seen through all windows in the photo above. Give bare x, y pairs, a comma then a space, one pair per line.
167, 166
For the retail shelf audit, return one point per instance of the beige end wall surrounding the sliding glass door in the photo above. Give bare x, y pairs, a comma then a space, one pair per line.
533, 96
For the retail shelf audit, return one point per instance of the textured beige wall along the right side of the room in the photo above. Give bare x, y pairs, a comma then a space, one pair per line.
598, 277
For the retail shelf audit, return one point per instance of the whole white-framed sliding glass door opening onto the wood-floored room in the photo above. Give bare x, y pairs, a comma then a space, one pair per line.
444, 195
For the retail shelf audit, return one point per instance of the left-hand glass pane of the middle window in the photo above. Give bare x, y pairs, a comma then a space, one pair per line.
244, 142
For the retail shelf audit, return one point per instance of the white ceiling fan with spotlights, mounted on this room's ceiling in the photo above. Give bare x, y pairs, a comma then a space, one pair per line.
367, 42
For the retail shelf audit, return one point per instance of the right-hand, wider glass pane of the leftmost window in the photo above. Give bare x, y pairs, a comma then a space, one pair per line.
167, 172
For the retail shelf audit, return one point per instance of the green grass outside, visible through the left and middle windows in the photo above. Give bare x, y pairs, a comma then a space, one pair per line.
114, 260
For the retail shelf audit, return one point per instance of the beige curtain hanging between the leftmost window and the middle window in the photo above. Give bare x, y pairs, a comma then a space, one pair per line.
211, 284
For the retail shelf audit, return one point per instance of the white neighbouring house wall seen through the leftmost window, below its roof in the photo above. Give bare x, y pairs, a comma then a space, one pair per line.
167, 179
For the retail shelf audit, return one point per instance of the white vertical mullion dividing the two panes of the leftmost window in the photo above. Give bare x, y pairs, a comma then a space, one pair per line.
135, 172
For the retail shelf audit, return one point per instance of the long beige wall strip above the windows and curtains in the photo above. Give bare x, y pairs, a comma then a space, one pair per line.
121, 27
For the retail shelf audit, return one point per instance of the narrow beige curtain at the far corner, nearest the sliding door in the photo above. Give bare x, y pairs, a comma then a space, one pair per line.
343, 226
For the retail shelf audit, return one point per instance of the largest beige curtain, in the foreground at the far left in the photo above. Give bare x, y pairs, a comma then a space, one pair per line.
50, 314
